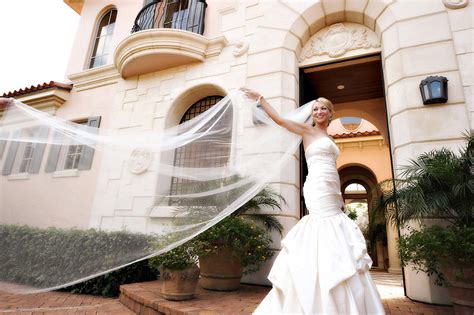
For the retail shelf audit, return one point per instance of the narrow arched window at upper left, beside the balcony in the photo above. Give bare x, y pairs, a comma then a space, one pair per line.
103, 38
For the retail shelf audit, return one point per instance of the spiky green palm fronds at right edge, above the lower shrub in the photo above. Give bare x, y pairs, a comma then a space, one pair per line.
437, 184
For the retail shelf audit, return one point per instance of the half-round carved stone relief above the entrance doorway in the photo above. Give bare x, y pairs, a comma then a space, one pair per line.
338, 39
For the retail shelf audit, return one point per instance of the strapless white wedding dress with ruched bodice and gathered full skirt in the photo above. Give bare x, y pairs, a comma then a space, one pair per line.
323, 266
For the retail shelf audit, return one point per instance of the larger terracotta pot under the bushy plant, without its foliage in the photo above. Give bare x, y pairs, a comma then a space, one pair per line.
220, 271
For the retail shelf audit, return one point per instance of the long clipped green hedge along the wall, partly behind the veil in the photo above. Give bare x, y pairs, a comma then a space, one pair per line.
51, 257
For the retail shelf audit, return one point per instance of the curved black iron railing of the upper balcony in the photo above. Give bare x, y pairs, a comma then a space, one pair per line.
178, 14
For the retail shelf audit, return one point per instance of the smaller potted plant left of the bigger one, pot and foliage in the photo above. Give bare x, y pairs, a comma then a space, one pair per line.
179, 273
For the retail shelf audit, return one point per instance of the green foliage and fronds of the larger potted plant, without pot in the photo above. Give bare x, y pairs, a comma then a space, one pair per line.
245, 231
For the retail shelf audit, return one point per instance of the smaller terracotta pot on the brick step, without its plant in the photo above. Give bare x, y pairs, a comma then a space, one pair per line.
179, 285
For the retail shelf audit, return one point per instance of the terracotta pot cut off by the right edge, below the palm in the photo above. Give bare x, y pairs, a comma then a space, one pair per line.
461, 291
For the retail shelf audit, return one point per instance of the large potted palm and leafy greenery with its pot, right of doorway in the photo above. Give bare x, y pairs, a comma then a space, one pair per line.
438, 185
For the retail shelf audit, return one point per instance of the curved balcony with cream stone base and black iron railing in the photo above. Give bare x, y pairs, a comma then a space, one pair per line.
166, 34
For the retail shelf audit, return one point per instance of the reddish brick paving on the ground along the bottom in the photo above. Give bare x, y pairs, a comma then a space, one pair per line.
239, 302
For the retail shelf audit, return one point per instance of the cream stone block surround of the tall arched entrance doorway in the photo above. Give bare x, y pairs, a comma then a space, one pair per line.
279, 48
